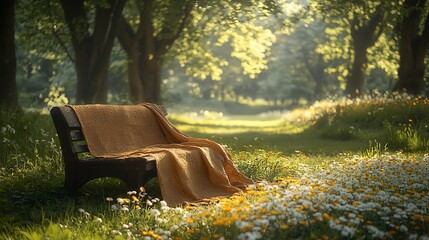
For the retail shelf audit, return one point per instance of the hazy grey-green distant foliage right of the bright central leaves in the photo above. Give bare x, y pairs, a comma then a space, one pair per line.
293, 69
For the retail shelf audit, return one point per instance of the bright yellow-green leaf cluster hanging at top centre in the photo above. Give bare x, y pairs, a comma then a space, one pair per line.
238, 25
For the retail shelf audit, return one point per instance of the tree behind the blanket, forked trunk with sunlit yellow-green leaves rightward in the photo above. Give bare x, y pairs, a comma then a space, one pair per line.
188, 31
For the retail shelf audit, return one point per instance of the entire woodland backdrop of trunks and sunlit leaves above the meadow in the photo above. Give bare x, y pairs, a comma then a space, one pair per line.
185, 52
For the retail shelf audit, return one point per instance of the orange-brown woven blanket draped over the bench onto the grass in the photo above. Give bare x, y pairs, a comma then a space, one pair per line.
189, 169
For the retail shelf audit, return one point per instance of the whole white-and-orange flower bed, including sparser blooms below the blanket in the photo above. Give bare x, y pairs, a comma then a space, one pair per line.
357, 197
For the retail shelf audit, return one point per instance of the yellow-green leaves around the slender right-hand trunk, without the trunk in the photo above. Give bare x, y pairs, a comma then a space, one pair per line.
340, 18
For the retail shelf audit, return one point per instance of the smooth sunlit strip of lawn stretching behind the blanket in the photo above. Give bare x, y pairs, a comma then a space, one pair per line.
241, 132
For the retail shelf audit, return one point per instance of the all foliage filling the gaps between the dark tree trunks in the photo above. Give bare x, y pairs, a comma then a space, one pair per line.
229, 51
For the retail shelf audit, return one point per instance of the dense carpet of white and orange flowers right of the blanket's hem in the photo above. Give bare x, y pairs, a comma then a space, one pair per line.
386, 197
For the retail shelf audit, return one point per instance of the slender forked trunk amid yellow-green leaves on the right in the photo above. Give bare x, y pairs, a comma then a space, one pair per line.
363, 37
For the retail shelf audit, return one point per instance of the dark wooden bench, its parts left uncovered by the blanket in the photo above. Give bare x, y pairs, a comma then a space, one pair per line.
80, 167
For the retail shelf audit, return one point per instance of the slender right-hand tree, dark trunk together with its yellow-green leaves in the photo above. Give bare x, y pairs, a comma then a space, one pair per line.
355, 31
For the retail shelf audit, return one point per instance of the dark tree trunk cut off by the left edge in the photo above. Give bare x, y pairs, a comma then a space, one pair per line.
8, 91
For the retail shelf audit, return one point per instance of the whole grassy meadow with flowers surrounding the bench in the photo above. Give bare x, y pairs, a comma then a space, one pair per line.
338, 169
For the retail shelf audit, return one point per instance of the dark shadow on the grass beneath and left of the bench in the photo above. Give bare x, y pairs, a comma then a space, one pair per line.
32, 199
